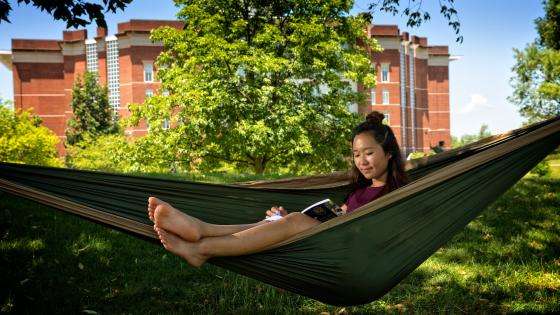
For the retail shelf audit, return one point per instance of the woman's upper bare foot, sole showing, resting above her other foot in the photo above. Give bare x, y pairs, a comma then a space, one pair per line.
174, 221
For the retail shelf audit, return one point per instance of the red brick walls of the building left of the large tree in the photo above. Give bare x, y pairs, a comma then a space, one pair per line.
45, 71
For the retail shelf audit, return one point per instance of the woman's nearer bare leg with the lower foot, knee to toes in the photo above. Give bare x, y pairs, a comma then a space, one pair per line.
245, 242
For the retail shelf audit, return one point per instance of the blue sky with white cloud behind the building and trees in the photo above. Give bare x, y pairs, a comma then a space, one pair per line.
479, 80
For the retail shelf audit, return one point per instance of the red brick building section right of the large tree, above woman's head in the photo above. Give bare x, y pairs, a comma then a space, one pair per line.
417, 85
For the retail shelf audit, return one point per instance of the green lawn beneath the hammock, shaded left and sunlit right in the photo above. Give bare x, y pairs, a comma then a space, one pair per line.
505, 261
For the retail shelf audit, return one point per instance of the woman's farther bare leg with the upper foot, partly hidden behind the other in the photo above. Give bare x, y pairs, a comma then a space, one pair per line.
188, 228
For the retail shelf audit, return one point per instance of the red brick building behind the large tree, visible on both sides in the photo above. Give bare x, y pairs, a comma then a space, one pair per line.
412, 89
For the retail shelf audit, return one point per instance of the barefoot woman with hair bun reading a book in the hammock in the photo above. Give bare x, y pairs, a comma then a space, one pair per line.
378, 168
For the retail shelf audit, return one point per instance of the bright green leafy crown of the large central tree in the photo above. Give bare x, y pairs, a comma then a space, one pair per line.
258, 84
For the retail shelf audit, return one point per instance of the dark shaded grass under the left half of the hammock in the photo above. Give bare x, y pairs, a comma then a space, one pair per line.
57, 263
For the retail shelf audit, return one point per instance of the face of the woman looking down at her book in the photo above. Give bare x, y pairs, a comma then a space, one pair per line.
370, 159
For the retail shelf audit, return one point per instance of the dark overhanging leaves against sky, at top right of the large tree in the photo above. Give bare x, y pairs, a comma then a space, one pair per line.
416, 15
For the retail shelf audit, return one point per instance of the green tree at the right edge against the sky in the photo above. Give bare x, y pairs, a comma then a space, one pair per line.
536, 82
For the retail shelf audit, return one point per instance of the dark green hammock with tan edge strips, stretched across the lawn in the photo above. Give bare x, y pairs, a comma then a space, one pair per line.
350, 260
